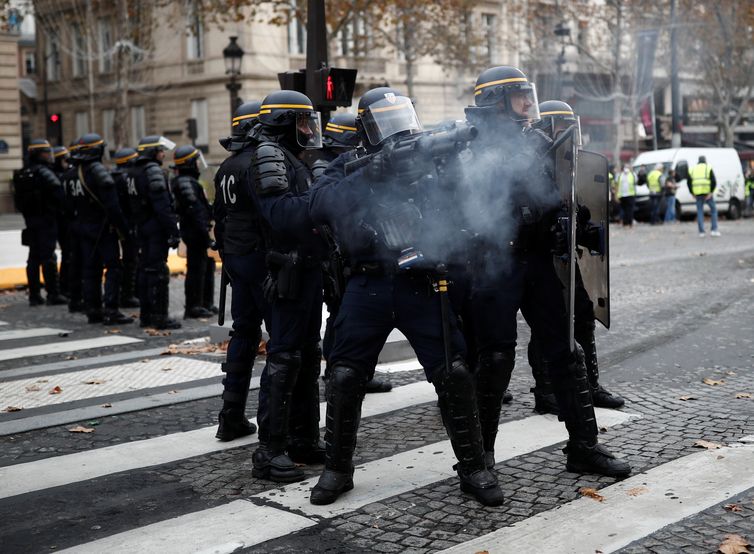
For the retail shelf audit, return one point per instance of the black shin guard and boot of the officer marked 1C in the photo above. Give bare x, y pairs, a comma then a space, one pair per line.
232, 419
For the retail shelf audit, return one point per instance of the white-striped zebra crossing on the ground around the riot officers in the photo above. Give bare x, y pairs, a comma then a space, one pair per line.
266, 517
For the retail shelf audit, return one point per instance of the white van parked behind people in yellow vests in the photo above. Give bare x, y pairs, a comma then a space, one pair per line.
729, 194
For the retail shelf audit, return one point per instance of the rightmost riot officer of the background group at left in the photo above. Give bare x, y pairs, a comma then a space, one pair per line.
195, 221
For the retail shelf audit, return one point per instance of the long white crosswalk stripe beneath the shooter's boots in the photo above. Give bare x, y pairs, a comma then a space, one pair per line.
216, 529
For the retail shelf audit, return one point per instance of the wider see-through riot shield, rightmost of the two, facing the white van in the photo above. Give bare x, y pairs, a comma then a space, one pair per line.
593, 193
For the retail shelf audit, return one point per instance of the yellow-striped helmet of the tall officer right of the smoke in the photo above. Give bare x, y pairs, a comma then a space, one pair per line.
507, 89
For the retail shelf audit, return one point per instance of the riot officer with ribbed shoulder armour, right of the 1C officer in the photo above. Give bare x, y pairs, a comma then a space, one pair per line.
288, 414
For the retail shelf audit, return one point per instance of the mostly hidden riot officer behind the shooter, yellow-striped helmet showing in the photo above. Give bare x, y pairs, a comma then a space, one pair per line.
340, 136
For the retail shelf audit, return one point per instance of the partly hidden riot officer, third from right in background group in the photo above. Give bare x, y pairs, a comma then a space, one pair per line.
124, 159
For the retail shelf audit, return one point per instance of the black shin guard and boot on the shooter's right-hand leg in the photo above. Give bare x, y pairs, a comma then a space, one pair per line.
455, 392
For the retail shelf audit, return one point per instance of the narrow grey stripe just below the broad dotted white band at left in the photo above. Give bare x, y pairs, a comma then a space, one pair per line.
177, 396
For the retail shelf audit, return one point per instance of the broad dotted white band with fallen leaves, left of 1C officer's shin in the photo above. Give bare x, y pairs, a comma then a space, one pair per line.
103, 381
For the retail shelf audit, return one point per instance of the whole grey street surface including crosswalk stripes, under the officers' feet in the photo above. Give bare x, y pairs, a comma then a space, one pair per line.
151, 477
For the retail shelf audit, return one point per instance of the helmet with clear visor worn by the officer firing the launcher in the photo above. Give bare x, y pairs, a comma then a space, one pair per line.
385, 112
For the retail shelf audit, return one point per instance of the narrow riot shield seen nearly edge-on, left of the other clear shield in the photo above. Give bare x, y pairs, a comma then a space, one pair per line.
566, 150
